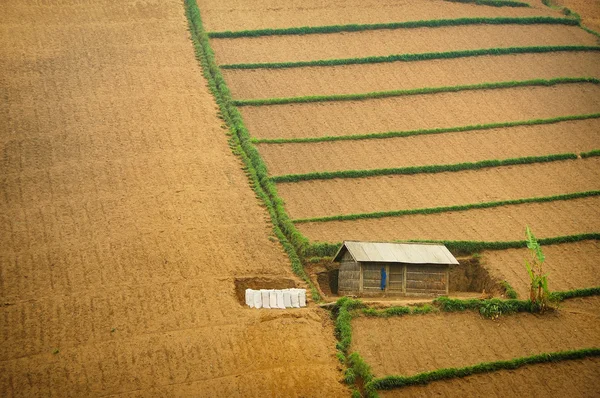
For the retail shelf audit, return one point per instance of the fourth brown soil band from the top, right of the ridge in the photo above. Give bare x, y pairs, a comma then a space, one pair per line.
420, 111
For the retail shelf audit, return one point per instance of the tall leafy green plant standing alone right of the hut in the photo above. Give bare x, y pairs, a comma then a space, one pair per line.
539, 293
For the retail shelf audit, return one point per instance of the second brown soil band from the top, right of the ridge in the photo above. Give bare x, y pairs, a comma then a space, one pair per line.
396, 41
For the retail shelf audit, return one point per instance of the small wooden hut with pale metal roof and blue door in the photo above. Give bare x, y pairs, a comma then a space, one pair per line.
378, 268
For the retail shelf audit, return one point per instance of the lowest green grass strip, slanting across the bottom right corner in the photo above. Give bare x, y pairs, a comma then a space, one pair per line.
393, 382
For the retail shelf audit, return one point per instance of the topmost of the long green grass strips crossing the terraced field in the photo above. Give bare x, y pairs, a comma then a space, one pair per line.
306, 30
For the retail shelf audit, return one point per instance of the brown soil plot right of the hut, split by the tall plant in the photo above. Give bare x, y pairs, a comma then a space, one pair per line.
570, 266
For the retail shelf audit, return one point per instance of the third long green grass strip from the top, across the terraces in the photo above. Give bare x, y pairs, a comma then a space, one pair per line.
418, 91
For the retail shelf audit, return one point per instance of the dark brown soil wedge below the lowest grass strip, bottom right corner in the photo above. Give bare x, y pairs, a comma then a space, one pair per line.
568, 378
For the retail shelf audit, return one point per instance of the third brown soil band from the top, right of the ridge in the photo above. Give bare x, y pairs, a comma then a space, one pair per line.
350, 79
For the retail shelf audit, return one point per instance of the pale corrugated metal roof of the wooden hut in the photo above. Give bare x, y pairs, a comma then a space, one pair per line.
410, 253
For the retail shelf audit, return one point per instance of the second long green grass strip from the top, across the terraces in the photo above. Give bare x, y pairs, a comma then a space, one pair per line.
413, 57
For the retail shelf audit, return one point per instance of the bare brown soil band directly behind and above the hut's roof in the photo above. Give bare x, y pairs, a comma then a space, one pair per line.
495, 224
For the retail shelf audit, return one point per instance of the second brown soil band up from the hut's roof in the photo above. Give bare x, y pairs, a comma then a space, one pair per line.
366, 195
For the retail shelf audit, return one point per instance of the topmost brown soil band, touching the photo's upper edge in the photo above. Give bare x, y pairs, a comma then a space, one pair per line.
241, 15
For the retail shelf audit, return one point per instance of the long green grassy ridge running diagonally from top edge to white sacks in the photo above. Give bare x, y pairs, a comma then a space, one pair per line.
290, 238
